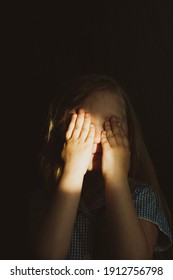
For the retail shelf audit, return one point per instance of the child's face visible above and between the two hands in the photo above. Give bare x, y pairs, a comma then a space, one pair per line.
102, 106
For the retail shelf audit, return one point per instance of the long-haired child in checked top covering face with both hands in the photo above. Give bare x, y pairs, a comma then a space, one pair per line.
102, 198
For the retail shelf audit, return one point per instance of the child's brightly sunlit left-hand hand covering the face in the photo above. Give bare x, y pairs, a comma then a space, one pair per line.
77, 150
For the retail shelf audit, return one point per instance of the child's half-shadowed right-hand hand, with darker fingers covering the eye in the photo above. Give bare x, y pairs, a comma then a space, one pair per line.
115, 151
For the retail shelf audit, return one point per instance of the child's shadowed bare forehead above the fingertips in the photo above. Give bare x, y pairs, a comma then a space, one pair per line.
105, 104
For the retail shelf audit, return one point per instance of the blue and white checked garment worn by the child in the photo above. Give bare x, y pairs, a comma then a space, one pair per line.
89, 237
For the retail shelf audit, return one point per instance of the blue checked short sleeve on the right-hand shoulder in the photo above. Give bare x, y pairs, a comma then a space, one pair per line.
150, 208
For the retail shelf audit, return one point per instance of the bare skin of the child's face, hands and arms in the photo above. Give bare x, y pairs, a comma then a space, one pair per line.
97, 144
